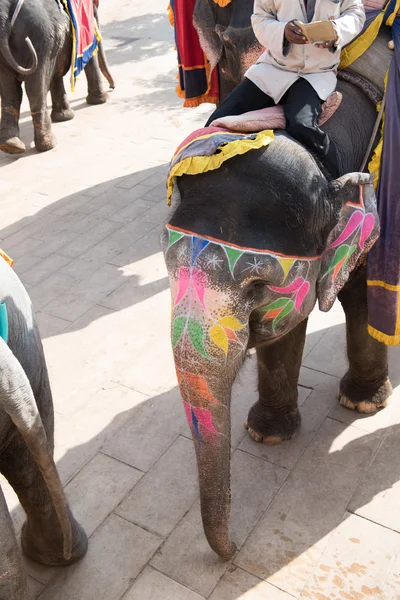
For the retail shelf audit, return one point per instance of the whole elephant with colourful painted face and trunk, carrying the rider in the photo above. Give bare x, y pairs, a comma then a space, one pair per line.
249, 249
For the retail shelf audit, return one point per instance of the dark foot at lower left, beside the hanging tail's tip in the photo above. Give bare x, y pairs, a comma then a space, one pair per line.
50, 551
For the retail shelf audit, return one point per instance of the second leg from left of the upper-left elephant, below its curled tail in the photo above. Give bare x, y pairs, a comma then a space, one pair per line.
37, 87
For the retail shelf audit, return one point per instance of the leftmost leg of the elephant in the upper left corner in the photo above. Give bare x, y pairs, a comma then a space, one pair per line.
11, 98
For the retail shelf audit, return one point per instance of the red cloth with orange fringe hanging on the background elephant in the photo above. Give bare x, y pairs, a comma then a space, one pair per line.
196, 83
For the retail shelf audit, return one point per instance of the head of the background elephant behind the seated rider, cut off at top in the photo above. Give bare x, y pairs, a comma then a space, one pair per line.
227, 37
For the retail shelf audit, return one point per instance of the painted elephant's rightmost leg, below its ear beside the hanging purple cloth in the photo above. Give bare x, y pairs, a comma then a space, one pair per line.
366, 386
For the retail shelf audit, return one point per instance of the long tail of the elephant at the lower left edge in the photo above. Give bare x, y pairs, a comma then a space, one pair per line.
19, 403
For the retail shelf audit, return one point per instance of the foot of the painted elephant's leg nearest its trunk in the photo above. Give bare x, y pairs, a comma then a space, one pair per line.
264, 428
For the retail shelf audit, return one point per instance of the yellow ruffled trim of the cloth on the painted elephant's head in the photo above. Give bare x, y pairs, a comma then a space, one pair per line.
193, 165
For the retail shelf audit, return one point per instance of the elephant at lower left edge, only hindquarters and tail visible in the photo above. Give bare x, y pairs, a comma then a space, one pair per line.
50, 534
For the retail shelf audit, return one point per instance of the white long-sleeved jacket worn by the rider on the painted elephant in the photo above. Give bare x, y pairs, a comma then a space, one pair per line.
278, 67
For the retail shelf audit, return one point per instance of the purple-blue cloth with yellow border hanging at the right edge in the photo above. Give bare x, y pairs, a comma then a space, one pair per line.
383, 265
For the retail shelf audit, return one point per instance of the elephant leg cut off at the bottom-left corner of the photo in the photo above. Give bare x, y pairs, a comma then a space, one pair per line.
13, 579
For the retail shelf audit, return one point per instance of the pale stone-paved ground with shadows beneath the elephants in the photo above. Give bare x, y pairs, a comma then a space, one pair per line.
317, 517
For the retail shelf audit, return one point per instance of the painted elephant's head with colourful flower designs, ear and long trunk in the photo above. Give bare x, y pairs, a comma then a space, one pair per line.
303, 240
